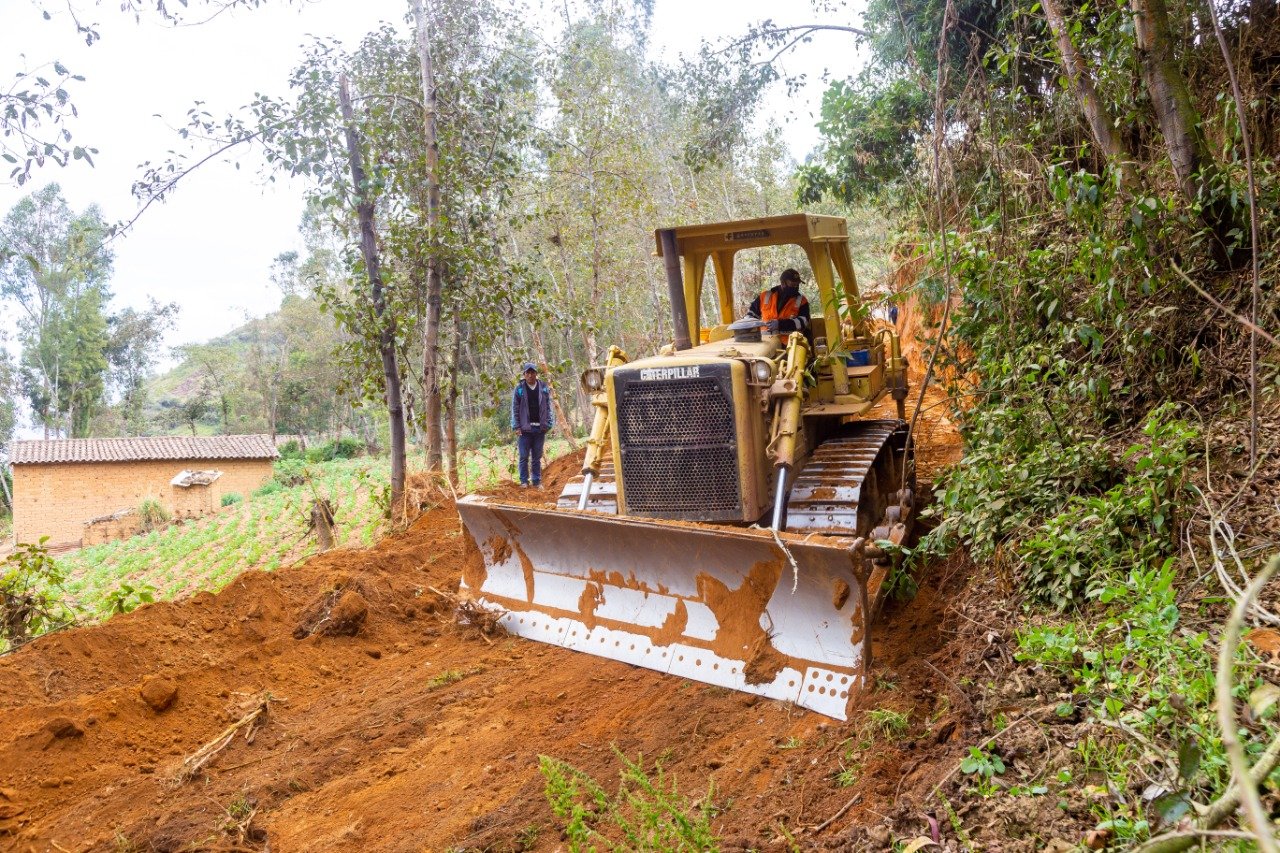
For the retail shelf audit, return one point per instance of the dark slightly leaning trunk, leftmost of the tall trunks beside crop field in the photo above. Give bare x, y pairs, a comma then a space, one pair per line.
386, 323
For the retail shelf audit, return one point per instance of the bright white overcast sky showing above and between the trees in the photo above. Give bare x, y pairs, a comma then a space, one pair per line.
211, 248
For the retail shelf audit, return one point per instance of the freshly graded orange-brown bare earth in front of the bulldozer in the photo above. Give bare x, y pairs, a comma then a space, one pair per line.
392, 728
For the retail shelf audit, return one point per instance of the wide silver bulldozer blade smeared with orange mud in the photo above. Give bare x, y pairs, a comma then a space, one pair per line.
715, 605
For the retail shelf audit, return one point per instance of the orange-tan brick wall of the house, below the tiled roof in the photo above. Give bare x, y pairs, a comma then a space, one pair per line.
57, 500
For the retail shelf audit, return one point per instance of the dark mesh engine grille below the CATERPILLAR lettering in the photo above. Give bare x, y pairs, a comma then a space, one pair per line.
679, 446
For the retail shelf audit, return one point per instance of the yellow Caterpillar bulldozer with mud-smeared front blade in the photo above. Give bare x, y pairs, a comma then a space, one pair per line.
738, 509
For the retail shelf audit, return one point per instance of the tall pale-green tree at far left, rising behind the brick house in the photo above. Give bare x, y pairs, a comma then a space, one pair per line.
57, 276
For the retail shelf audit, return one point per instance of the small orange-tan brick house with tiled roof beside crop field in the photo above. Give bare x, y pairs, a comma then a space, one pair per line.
60, 485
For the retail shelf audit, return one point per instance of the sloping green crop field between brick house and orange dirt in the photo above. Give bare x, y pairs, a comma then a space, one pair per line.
264, 531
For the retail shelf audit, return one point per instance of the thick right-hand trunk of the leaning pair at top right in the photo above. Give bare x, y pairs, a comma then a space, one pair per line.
1194, 163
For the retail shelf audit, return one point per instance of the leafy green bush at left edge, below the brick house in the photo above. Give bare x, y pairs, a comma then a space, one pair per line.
31, 595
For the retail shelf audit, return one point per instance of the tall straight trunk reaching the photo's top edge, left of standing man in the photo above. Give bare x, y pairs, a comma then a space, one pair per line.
432, 334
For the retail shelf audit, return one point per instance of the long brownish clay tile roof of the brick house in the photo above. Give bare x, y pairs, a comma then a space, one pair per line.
140, 450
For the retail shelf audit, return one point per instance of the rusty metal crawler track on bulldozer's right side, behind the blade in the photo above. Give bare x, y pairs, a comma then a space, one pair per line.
851, 485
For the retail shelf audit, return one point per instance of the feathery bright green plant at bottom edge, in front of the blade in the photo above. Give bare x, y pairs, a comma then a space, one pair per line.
646, 814
